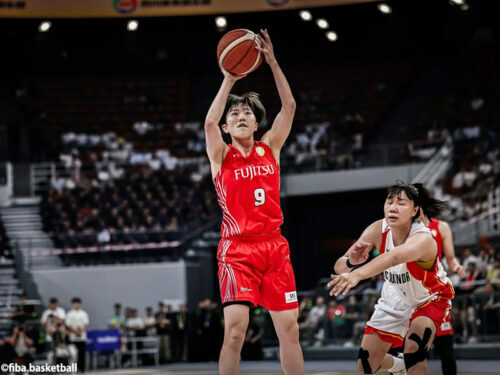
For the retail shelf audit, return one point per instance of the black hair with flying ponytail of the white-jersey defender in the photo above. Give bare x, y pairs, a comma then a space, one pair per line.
420, 196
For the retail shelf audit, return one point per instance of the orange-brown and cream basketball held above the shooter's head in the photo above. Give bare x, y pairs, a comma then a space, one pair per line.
236, 52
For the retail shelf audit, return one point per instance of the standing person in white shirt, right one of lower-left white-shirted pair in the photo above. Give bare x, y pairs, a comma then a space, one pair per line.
77, 323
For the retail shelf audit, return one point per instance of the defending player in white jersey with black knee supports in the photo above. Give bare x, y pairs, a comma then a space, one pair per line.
416, 293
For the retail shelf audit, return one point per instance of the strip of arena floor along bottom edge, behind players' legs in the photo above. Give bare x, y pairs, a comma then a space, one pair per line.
312, 368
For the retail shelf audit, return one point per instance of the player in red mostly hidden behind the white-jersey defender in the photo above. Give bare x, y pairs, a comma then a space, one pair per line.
443, 343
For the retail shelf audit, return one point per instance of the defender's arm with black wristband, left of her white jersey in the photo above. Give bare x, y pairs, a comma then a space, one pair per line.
358, 253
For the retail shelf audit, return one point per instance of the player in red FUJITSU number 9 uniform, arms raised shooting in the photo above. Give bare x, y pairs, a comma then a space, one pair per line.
253, 256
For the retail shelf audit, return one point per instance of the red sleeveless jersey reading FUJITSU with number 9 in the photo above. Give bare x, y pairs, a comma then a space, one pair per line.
248, 190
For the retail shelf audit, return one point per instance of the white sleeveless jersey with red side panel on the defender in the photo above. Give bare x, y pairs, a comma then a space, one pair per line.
407, 285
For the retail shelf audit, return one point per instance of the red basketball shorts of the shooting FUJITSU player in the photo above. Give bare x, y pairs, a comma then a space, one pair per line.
257, 270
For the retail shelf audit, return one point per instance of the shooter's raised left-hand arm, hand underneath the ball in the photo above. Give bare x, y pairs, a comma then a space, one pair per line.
215, 143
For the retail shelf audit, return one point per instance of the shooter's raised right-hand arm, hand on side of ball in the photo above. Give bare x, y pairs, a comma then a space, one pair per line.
282, 124
